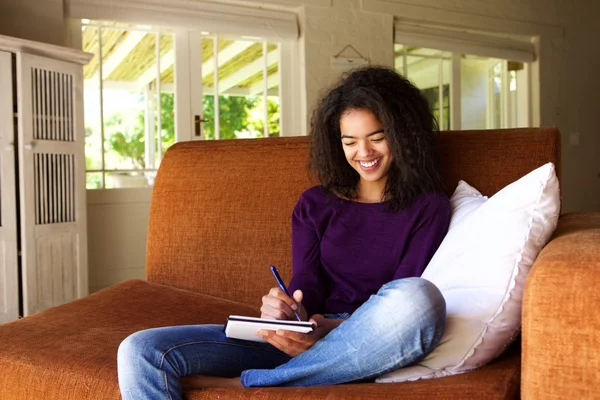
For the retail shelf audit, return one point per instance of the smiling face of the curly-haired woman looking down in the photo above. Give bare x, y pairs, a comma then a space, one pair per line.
365, 146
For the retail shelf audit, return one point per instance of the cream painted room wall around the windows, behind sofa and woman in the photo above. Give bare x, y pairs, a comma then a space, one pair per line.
568, 89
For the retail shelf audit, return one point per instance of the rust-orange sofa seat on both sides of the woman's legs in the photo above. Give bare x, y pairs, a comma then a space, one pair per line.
70, 351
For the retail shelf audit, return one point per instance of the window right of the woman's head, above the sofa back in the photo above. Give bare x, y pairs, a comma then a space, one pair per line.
491, 92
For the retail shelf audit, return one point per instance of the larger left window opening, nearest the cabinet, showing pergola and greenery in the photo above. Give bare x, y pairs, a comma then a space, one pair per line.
128, 98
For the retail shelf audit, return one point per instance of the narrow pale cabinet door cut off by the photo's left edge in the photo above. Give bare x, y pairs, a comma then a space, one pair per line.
9, 281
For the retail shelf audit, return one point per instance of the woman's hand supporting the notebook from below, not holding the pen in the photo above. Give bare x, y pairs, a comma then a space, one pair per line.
294, 343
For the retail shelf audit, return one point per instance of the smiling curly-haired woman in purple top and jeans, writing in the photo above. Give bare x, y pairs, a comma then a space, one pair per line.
360, 240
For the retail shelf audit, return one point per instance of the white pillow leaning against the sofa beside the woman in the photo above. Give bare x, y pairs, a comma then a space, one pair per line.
481, 267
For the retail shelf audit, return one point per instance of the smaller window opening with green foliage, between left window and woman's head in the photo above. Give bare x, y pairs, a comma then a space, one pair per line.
245, 68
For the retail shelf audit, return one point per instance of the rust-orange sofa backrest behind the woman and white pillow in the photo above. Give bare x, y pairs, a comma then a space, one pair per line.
221, 210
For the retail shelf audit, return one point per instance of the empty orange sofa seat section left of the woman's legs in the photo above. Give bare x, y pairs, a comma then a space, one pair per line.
70, 351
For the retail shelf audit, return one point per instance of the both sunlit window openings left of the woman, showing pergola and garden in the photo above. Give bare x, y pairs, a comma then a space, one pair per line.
131, 102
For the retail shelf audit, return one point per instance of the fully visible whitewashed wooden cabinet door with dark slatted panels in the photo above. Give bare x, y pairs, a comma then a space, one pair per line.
51, 182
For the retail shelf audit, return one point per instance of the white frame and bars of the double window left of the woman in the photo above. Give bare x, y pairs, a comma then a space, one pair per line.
188, 100
